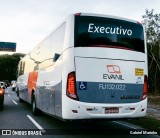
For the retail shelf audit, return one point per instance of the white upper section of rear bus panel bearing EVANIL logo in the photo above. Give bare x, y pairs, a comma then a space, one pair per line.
100, 70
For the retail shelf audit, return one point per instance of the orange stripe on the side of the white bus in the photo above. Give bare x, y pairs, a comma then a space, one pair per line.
32, 80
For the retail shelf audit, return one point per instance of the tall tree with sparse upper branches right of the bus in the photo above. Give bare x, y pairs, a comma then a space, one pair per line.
151, 23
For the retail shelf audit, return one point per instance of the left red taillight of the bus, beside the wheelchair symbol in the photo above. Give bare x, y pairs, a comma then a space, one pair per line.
71, 86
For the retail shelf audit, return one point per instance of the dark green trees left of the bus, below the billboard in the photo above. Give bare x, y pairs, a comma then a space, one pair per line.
8, 66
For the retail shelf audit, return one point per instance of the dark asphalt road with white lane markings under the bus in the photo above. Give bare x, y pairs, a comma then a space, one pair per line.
17, 120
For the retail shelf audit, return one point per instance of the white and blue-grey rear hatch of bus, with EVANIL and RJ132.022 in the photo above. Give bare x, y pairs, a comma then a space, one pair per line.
109, 81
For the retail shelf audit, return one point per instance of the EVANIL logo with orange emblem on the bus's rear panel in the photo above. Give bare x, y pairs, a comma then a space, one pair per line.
114, 73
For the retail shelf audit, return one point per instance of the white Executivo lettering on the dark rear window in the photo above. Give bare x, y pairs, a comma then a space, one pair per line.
92, 28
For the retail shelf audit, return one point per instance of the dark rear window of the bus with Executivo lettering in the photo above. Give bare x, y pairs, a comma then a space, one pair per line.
107, 32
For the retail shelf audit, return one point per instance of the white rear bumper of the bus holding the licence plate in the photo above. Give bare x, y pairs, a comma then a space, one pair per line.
73, 110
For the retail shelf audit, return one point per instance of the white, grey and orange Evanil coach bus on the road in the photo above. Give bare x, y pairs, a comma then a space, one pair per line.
91, 66
